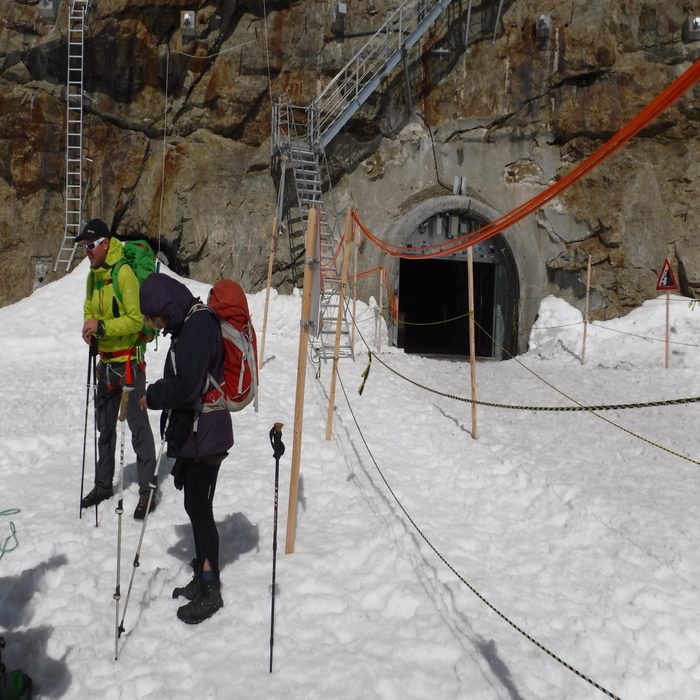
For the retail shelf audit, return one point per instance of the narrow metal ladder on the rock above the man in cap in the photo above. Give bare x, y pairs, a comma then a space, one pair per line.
74, 132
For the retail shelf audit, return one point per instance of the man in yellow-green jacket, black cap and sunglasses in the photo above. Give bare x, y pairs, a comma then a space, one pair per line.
116, 324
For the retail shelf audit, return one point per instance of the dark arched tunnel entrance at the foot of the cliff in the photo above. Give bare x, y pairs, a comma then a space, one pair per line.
432, 297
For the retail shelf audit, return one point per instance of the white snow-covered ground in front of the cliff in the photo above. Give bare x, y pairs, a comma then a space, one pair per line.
581, 529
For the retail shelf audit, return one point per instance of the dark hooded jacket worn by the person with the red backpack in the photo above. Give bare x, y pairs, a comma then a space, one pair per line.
196, 350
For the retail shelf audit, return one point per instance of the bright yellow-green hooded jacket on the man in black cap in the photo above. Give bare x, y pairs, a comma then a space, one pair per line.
122, 321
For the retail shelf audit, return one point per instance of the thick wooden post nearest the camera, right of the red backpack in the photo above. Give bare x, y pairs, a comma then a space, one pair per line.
301, 379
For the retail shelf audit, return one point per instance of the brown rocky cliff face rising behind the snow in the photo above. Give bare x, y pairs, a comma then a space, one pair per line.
177, 133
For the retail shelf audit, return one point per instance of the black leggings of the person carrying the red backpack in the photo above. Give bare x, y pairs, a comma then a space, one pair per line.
200, 485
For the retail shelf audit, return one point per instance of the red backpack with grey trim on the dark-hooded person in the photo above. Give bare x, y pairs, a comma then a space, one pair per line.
240, 386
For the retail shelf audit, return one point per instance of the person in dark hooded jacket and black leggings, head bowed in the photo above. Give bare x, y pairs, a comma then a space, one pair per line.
199, 441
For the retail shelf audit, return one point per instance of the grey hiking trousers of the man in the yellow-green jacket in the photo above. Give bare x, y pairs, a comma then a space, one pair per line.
111, 376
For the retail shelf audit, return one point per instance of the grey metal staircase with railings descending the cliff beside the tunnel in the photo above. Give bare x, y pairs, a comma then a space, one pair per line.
303, 133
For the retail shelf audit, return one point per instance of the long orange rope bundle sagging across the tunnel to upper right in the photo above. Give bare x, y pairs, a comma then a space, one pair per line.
675, 90
